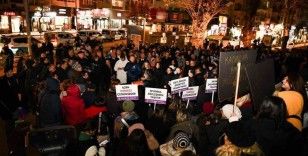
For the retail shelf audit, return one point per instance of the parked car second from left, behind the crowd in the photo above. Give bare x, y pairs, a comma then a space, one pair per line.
59, 37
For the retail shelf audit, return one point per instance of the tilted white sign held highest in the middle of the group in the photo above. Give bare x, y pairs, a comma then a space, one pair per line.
179, 85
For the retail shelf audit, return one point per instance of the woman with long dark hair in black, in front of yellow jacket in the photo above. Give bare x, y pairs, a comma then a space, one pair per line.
275, 135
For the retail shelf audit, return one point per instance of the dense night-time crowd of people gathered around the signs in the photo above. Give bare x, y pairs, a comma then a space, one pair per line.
77, 84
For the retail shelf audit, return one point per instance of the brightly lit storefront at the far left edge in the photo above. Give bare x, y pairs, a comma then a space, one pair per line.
10, 22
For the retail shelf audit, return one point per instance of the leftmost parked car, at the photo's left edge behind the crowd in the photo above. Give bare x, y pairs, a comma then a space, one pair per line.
18, 43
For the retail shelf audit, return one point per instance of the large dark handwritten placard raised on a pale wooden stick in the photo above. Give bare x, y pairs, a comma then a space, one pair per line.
228, 69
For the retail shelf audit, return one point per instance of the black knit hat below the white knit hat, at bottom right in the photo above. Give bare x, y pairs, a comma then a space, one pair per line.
240, 135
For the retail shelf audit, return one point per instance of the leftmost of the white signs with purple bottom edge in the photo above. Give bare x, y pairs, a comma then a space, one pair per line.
127, 92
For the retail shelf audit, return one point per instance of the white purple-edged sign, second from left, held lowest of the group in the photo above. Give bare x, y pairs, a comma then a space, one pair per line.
155, 95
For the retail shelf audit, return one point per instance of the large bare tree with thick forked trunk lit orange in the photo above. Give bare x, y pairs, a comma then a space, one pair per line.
201, 12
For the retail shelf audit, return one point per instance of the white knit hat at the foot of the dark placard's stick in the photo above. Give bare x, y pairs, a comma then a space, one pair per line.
227, 111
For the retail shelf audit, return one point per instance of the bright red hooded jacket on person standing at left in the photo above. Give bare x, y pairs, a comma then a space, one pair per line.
73, 106
